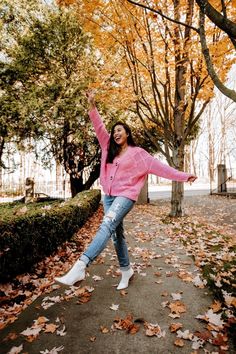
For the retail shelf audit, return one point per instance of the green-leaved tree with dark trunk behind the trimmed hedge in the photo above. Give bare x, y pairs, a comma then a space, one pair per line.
53, 63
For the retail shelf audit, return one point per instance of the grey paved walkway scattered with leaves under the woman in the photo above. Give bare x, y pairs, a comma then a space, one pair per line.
134, 321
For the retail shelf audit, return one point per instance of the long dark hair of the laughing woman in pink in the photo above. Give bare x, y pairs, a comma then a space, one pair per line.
114, 149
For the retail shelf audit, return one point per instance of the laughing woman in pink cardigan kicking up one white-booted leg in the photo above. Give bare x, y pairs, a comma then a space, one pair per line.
124, 168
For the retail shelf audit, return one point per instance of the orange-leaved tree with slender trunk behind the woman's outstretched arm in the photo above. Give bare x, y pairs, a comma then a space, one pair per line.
160, 74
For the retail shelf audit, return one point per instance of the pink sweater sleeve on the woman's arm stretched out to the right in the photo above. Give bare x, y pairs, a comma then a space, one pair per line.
162, 170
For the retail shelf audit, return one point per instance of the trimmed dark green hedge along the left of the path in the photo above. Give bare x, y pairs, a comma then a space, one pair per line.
28, 238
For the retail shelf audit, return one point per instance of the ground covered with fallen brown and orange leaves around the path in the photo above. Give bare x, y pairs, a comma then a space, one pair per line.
205, 233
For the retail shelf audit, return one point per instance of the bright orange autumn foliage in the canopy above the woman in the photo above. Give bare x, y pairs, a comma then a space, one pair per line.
137, 47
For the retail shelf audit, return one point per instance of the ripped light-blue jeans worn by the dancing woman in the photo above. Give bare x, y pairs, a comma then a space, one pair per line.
115, 209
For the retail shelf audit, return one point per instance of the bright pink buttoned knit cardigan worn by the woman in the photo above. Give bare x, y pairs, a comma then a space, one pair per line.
126, 175
